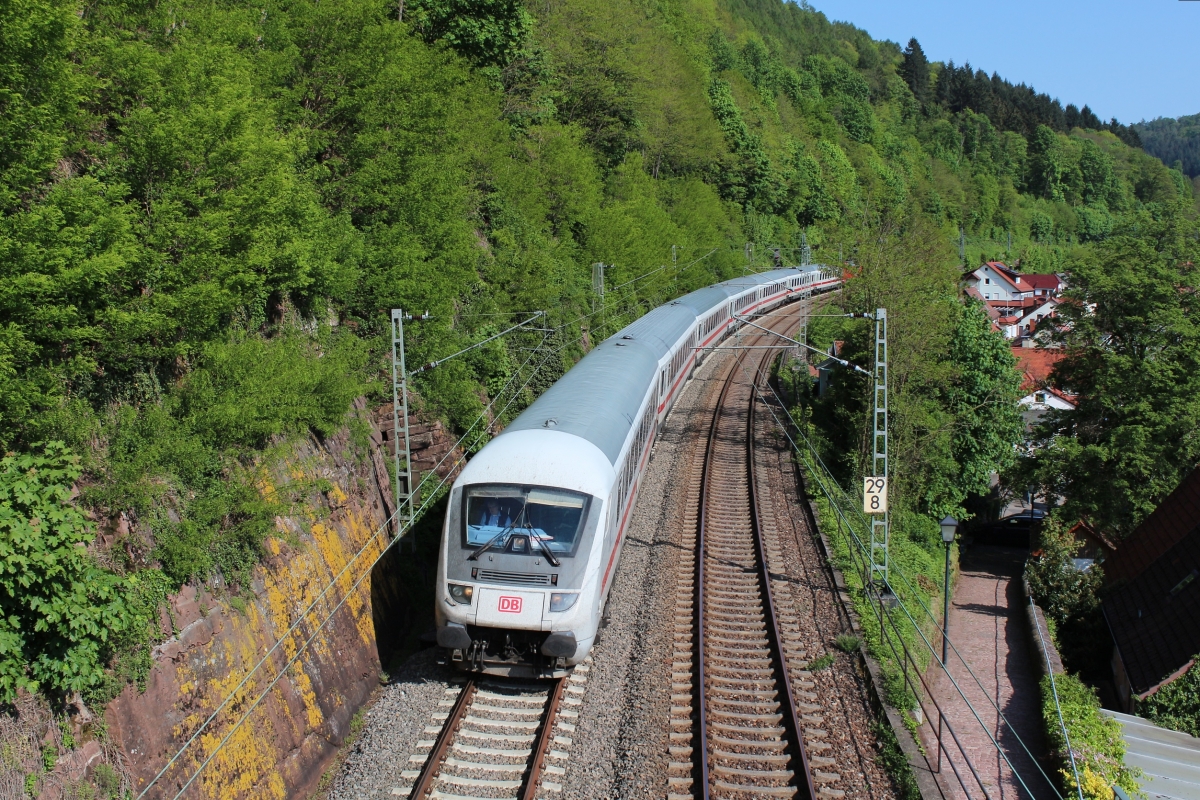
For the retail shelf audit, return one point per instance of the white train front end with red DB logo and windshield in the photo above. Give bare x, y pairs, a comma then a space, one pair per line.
518, 576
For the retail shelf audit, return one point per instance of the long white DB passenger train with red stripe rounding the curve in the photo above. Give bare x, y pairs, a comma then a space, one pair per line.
537, 520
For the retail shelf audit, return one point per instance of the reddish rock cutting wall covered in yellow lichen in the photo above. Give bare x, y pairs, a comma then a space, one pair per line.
293, 733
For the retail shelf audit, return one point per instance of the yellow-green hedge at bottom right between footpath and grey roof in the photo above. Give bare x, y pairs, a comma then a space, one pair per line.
1095, 741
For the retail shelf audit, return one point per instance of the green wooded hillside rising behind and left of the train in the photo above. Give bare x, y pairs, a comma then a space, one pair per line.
208, 209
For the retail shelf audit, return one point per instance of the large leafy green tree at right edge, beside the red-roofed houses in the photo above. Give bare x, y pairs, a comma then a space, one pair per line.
1132, 345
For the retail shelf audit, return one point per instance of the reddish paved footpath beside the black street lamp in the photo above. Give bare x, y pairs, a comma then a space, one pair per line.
991, 630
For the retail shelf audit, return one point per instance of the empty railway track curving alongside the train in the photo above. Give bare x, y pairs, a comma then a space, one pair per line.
746, 721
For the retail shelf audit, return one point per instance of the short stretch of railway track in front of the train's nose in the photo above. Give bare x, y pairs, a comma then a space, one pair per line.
496, 741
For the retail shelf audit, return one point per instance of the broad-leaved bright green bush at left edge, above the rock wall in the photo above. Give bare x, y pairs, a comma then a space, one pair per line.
59, 611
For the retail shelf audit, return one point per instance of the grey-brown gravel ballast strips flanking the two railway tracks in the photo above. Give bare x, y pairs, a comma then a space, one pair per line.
620, 747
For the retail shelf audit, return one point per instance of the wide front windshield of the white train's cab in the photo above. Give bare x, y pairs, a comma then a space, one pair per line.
523, 520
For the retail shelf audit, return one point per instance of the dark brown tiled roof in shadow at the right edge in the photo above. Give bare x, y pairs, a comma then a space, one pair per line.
1154, 603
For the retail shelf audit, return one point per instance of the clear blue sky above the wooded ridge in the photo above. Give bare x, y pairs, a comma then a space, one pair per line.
1125, 58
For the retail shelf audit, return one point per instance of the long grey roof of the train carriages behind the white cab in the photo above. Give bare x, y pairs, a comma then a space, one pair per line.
599, 399
